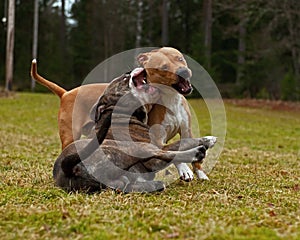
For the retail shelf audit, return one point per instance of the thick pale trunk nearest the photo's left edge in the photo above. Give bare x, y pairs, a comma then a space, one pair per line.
10, 45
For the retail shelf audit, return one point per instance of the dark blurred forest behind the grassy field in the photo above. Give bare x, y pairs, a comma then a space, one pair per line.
251, 48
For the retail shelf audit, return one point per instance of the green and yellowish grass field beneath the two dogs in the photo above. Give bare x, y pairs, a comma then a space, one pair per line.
253, 193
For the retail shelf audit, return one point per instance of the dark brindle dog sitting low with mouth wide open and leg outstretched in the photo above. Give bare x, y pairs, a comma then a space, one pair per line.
118, 163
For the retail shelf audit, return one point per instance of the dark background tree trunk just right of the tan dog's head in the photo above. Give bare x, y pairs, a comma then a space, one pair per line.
207, 16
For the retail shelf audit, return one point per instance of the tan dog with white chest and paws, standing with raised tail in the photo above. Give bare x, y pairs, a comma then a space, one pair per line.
165, 66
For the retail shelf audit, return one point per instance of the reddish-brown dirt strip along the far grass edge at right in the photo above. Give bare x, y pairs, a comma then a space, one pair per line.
268, 104
